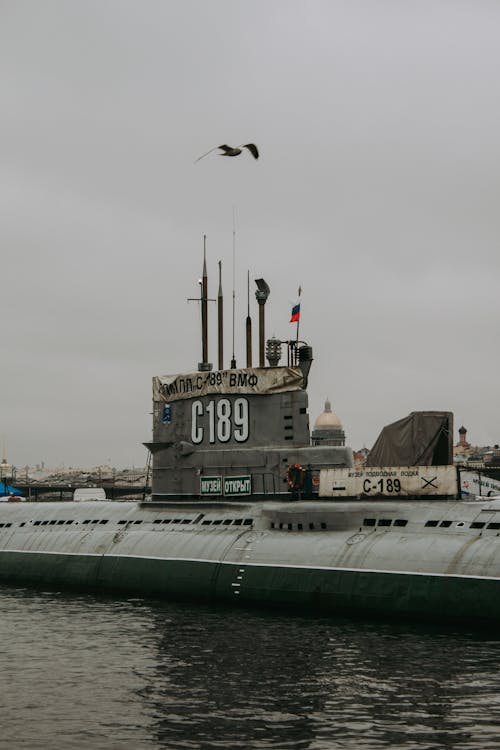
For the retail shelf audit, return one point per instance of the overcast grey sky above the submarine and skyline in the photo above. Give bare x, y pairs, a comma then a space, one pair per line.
377, 190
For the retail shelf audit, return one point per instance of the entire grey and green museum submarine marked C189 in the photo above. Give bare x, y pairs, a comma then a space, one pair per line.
245, 510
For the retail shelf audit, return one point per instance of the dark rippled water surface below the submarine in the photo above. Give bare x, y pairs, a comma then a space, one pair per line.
83, 671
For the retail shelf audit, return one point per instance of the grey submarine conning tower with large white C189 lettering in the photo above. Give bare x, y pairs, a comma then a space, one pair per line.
233, 433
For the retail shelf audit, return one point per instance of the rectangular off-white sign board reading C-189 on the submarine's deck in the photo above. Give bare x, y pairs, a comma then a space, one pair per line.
388, 481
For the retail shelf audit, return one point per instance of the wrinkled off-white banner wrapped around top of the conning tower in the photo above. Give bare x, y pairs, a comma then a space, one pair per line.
258, 380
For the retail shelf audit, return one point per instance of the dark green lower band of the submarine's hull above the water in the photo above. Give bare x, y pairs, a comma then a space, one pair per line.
333, 591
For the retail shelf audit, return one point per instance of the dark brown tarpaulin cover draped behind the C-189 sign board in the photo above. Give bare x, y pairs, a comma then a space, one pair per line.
423, 438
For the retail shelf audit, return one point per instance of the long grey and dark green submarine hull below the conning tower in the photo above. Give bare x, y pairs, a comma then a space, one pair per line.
371, 559
